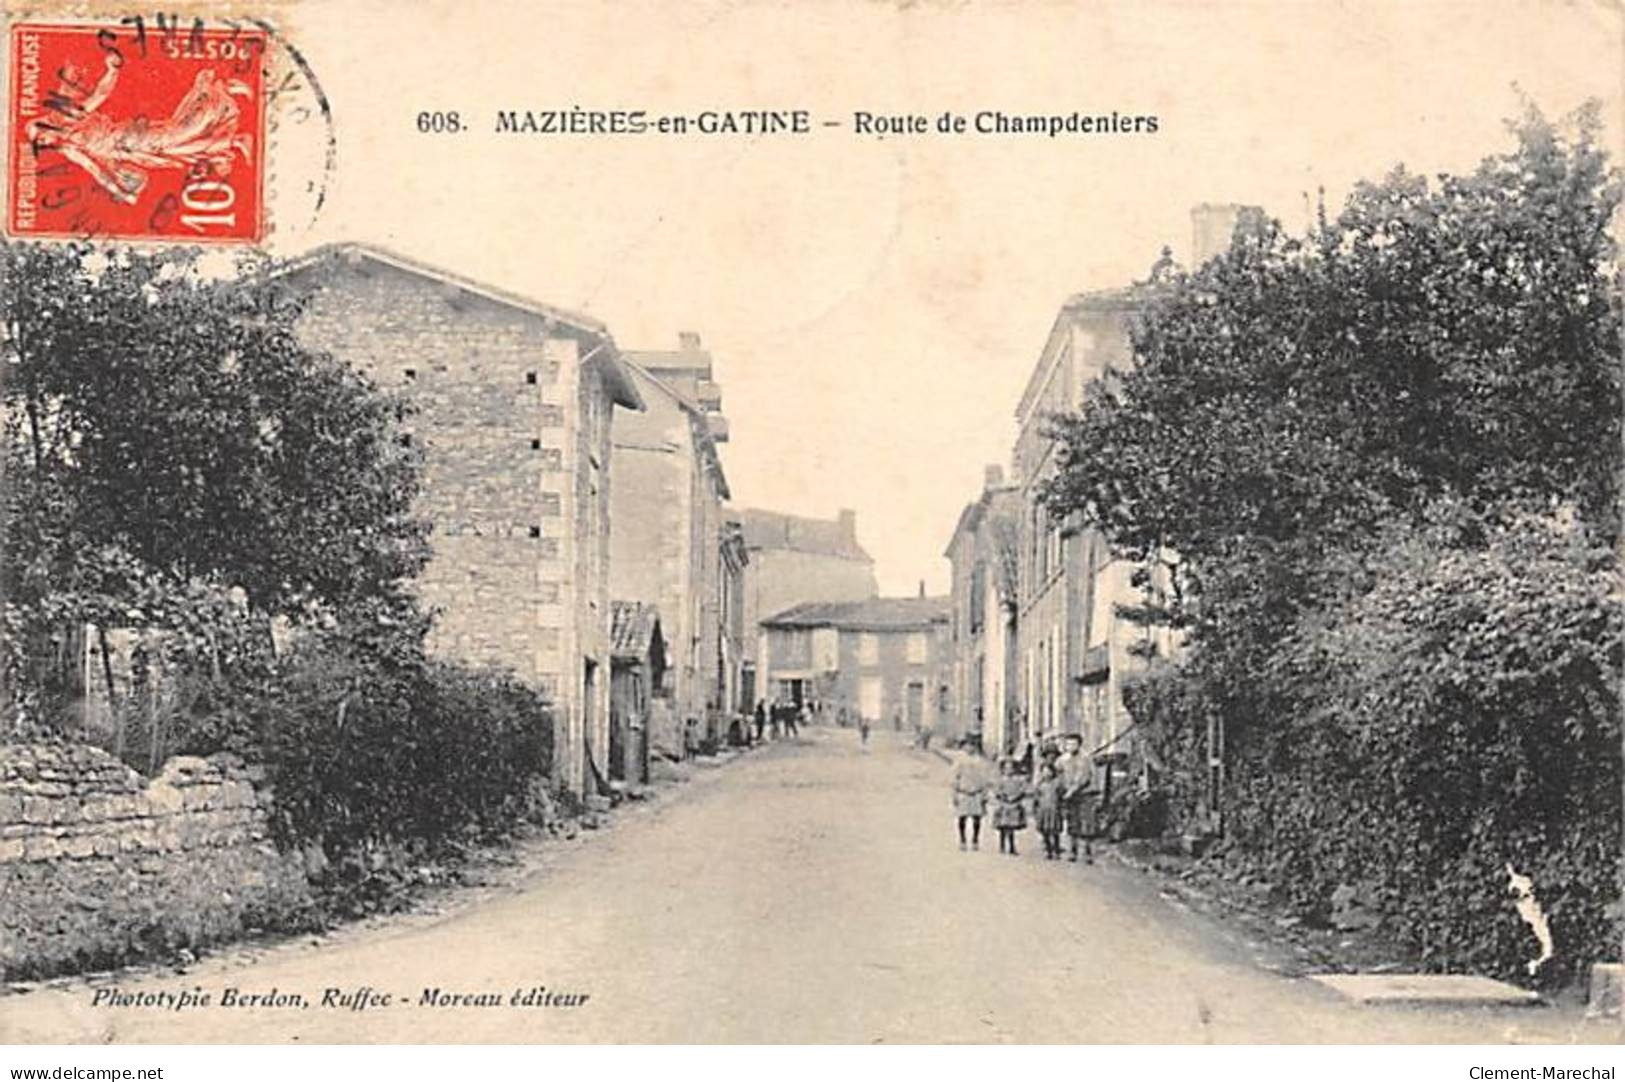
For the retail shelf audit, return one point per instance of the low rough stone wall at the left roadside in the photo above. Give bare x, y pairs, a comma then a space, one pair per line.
100, 867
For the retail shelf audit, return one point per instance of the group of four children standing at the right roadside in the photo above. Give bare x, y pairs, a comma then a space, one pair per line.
1060, 797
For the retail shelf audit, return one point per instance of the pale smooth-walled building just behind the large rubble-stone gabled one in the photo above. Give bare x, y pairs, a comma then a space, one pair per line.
669, 539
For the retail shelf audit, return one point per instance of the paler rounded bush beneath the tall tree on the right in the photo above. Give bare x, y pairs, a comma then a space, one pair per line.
1454, 716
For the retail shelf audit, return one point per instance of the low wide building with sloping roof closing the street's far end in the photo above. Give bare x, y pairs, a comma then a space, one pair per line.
882, 659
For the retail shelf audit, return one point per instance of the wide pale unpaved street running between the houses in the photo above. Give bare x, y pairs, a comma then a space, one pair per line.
808, 893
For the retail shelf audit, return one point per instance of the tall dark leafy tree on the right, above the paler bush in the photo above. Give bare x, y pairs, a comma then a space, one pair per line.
1450, 339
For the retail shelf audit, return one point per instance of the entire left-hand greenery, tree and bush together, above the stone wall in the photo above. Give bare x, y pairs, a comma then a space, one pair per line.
181, 470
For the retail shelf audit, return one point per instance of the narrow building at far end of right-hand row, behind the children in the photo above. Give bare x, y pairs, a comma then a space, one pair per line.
982, 615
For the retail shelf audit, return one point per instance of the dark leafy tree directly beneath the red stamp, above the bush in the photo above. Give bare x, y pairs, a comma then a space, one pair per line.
171, 444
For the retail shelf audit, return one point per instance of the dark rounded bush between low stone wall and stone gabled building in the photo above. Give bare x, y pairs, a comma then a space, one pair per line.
381, 758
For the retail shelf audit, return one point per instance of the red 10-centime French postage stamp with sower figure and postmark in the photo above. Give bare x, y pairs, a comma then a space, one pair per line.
137, 132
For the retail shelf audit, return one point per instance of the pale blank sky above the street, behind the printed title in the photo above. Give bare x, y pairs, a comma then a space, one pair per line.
875, 308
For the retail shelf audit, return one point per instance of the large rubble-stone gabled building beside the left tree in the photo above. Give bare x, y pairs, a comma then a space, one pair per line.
513, 407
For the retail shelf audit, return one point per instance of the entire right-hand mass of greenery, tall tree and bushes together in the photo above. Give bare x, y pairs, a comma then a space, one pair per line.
1385, 461
